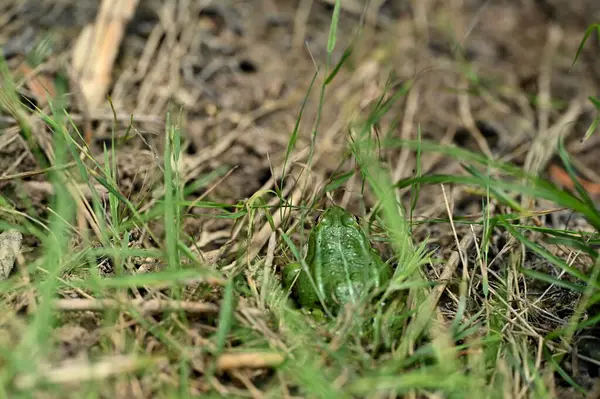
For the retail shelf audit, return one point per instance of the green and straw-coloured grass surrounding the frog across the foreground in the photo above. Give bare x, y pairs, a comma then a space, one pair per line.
119, 282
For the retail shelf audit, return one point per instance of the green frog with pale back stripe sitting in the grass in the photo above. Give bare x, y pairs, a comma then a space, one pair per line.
341, 261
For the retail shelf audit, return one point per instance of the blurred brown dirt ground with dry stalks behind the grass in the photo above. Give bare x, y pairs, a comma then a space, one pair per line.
237, 72
